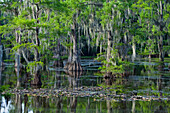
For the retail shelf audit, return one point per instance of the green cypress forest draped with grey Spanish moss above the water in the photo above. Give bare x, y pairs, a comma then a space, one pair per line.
35, 32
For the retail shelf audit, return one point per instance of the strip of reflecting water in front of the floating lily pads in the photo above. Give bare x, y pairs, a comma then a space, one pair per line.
26, 104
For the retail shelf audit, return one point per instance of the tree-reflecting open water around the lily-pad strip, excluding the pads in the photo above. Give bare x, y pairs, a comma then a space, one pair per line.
147, 79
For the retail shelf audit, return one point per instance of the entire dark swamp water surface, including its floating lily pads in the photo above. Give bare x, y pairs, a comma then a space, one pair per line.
145, 89
